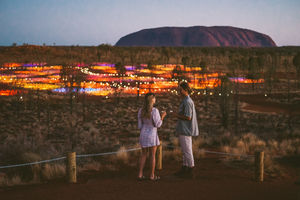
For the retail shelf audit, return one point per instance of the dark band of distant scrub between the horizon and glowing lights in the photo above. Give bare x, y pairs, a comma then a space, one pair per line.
214, 57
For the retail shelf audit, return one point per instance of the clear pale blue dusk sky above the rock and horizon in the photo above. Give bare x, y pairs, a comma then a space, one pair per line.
93, 22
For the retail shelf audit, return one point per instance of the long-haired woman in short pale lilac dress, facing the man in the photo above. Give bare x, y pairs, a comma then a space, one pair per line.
148, 121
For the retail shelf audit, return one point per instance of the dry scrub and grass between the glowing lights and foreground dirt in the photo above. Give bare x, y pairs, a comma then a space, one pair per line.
106, 127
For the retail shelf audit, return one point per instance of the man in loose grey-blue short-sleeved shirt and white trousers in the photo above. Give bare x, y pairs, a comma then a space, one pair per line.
187, 126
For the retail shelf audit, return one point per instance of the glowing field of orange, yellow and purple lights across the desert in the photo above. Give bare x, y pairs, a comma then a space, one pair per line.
103, 79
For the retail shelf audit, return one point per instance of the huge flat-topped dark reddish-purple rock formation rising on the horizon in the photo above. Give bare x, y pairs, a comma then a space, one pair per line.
197, 36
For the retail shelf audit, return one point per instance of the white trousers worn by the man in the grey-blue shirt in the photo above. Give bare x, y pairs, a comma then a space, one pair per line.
187, 150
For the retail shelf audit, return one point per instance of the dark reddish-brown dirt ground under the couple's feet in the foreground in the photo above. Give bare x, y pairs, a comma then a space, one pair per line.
214, 179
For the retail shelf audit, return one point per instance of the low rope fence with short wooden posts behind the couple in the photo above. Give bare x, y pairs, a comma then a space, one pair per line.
71, 161
